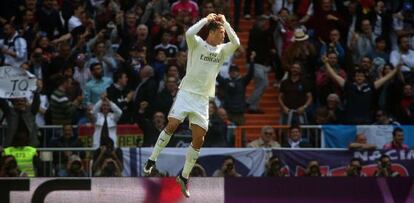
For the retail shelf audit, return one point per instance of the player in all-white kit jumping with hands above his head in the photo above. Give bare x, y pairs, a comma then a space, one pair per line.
205, 58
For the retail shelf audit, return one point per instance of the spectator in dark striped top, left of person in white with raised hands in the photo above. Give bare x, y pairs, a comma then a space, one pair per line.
62, 109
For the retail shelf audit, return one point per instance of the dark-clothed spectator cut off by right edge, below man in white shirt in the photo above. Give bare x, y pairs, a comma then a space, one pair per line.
405, 107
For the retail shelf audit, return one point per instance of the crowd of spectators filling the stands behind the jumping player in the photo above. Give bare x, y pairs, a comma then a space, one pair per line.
105, 63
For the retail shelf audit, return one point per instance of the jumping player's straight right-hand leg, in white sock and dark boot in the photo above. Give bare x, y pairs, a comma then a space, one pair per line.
193, 152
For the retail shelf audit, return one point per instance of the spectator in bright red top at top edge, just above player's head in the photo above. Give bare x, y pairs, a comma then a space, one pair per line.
185, 8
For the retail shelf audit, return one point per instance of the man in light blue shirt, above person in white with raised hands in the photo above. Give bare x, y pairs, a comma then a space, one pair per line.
97, 86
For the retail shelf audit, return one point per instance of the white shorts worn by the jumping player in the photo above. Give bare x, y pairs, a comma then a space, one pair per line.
194, 106
